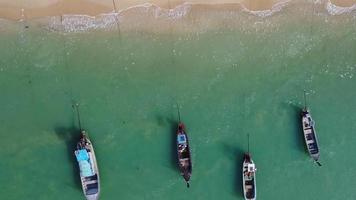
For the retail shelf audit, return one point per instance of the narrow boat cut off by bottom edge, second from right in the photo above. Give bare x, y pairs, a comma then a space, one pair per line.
249, 178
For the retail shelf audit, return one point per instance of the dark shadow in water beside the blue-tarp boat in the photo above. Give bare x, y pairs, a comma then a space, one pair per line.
70, 136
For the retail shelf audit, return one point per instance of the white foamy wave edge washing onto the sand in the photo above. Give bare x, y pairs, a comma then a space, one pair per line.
149, 11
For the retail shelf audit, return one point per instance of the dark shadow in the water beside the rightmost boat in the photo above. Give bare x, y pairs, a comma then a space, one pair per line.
298, 129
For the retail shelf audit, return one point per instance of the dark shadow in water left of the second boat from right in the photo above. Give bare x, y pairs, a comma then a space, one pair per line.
236, 154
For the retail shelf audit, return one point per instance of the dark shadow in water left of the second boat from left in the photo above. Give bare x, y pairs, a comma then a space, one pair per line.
173, 125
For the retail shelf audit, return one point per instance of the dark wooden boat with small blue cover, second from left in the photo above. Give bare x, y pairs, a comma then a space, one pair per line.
184, 159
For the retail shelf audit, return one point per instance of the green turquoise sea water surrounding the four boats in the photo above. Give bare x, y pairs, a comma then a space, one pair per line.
228, 82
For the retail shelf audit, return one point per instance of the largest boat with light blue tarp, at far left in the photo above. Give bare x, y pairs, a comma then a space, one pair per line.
88, 167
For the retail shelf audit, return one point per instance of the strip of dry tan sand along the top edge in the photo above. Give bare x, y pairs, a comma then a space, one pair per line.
17, 9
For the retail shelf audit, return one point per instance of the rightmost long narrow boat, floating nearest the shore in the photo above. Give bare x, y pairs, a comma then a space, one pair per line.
310, 134
